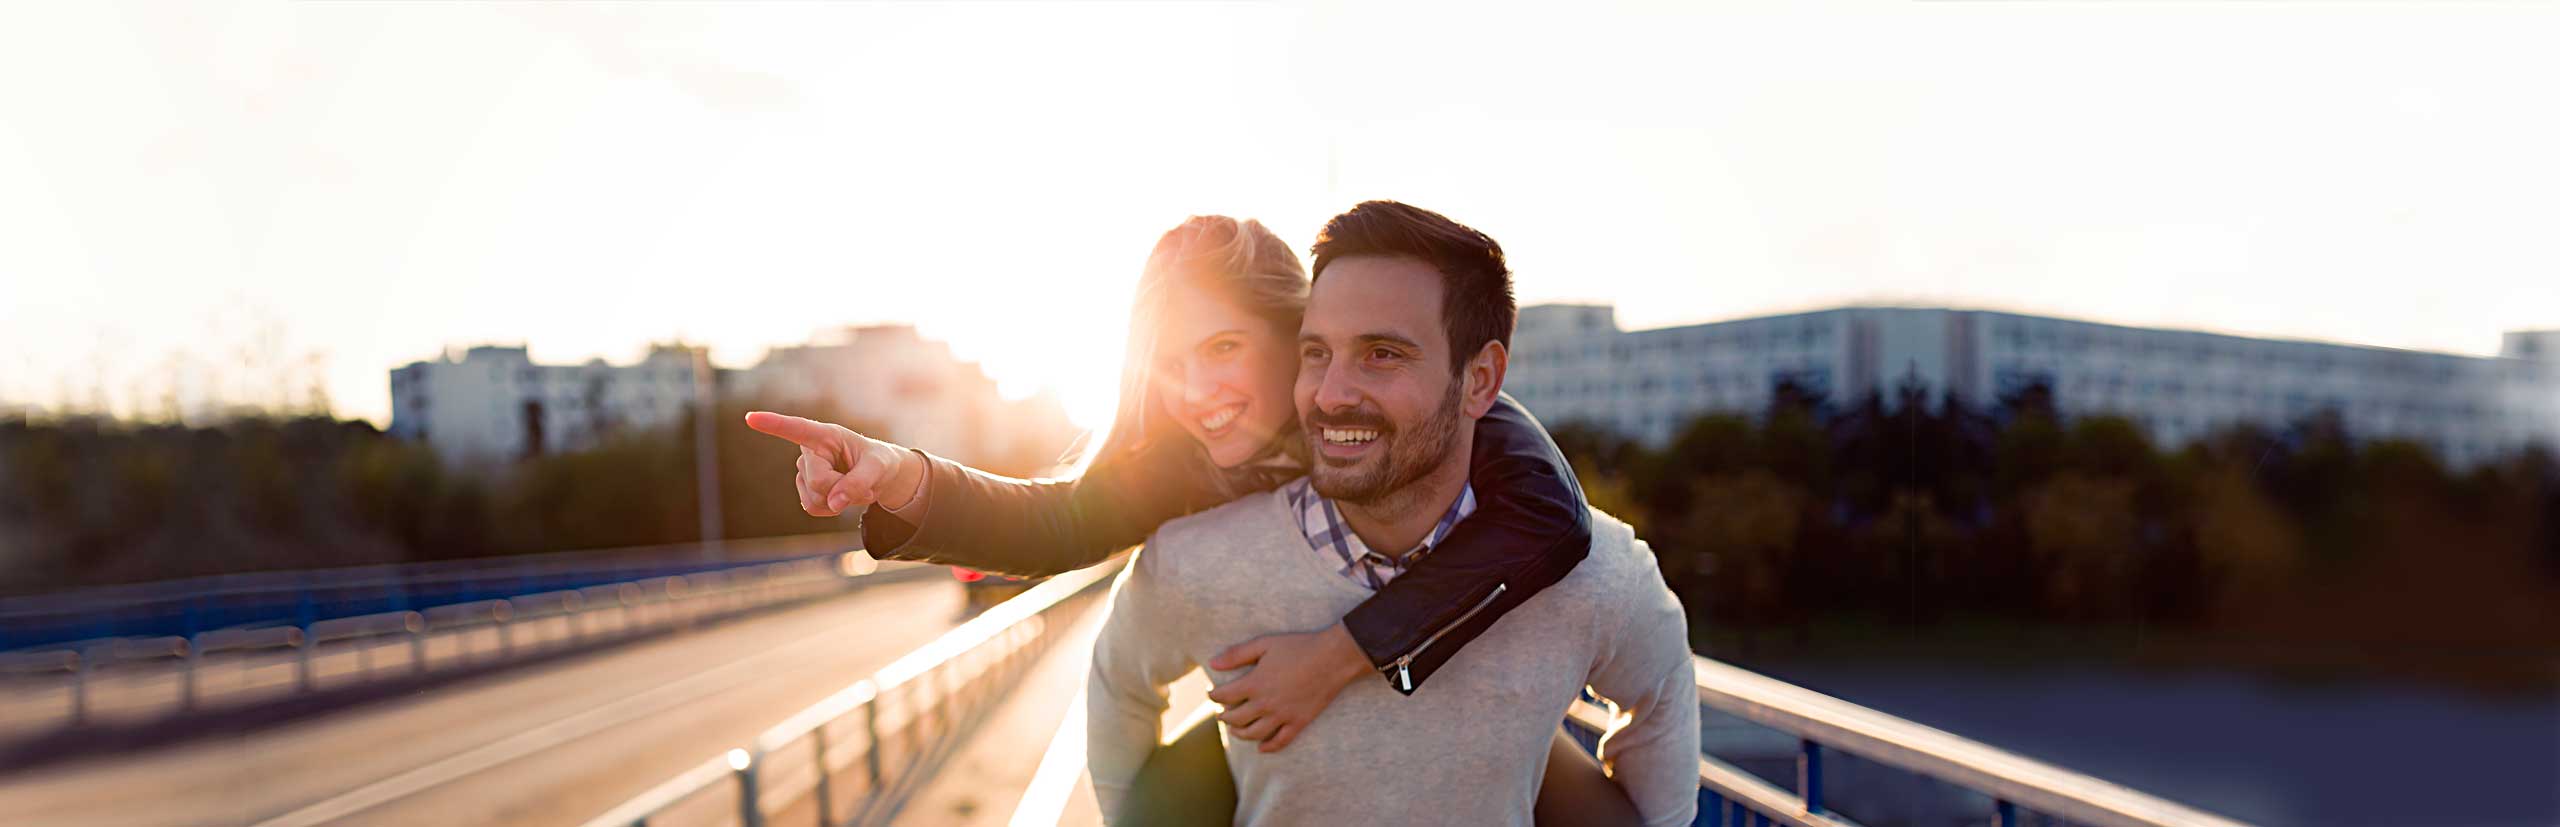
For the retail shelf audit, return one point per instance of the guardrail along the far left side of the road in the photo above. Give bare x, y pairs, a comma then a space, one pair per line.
152, 680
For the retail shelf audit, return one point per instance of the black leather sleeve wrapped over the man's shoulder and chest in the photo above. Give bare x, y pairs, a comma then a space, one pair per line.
1530, 529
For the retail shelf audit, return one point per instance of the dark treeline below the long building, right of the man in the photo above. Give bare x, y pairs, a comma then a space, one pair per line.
1921, 516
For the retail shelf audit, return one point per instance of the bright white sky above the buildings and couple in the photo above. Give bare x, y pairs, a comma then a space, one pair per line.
383, 181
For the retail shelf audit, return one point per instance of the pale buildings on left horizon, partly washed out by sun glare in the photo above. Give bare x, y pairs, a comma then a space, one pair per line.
495, 406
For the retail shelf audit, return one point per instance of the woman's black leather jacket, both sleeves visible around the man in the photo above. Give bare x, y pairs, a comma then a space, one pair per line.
1530, 529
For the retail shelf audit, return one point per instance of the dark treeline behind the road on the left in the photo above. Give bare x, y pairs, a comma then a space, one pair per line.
93, 501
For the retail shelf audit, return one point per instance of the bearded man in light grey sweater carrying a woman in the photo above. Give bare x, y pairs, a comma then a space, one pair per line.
1404, 344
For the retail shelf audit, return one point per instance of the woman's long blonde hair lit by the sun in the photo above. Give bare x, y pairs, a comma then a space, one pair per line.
1240, 262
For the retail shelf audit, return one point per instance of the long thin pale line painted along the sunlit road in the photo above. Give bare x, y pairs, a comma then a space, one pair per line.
539, 739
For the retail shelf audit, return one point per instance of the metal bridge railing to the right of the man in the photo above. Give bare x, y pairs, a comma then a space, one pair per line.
2016, 785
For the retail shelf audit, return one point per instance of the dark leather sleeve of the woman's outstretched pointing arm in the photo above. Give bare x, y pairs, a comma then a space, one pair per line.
1038, 529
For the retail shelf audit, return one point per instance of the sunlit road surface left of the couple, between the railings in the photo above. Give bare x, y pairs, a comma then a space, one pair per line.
541, 746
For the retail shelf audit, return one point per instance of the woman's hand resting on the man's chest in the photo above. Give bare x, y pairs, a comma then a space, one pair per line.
1294, 680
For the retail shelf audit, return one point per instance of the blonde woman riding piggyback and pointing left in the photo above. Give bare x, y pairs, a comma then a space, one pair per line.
1207, 413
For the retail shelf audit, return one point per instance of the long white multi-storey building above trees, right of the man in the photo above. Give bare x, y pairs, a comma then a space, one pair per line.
1573, 362
